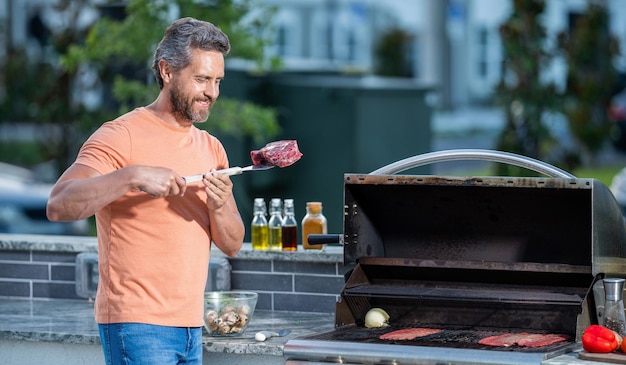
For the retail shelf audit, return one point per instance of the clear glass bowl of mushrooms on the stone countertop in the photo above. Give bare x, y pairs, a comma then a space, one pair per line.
227, 313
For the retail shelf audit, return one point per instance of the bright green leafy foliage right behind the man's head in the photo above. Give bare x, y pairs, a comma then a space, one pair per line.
131, 41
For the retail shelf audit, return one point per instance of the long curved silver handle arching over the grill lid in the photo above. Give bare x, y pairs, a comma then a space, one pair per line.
473, 154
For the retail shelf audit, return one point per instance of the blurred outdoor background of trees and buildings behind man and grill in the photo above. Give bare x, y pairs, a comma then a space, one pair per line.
358, 83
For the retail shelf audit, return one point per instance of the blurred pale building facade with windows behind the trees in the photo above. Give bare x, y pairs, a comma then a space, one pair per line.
454, 44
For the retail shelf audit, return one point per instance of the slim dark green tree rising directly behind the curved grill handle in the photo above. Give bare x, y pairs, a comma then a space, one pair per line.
523, 93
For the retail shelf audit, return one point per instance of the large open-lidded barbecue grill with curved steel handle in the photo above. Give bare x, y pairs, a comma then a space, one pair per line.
472, 256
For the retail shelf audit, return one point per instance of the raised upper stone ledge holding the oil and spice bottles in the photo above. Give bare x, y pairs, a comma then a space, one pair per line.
52, 243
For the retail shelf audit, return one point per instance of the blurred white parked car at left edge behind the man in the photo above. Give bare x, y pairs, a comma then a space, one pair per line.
23, 206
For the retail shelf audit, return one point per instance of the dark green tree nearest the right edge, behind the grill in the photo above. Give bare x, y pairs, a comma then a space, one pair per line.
589, 50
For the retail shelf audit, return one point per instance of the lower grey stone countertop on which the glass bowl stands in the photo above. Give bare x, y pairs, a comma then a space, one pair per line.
72, 321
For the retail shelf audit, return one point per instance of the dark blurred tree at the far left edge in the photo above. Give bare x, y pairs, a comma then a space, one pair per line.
38, 91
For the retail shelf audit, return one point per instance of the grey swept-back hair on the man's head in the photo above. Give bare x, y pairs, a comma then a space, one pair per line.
183, 36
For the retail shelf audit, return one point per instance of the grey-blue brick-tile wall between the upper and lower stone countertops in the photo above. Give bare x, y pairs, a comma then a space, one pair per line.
281, 285
